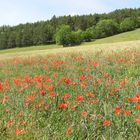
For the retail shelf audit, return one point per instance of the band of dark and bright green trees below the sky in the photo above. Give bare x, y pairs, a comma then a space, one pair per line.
70, 30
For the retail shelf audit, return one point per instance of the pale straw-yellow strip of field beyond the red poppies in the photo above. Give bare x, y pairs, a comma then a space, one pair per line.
106, 48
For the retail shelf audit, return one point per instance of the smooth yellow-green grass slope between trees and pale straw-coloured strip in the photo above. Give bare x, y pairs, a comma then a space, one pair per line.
128, 36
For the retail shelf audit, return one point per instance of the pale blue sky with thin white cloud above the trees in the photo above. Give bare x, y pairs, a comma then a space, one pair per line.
13, 12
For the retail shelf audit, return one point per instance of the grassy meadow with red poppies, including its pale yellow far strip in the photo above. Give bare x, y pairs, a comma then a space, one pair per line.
79, 93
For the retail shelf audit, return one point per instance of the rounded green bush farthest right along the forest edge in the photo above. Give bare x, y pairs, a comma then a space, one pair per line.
127, 24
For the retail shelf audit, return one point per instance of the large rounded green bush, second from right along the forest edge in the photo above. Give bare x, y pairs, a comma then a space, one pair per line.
106, 28
